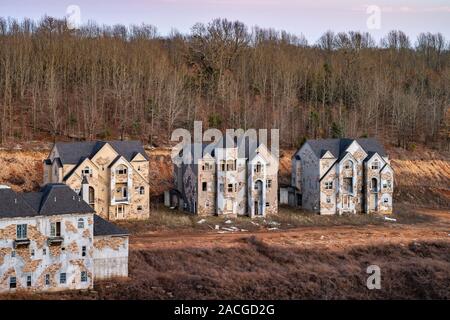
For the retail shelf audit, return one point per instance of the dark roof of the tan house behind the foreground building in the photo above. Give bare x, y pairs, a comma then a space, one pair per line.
72, 152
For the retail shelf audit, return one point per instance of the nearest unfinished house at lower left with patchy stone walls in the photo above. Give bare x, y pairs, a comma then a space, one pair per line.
51, 241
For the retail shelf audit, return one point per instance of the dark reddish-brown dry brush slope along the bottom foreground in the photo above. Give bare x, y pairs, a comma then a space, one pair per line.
256, 270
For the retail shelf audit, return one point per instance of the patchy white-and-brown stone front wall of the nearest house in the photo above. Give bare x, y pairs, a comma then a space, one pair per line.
39, 258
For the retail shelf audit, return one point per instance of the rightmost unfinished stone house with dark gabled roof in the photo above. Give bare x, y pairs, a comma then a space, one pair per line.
332, 176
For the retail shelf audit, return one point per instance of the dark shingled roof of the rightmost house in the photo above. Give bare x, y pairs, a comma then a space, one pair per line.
338, 146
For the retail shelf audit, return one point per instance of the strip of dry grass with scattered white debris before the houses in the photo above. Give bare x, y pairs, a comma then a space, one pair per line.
165, 219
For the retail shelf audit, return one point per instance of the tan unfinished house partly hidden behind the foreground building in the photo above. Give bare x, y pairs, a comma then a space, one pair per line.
111, 176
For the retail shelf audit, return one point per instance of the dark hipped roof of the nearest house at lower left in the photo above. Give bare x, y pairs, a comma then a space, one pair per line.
53, 199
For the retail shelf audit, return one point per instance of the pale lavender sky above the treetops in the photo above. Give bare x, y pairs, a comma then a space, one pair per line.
311, 18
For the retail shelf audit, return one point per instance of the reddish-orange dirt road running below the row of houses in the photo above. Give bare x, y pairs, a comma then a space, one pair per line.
334, 237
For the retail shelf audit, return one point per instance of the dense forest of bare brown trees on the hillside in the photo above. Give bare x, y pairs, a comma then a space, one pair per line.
123, 82
